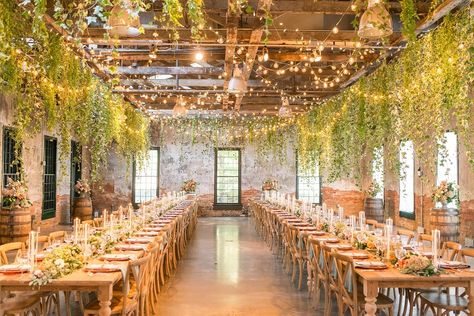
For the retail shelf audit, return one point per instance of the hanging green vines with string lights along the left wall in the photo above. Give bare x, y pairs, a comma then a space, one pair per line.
52, 86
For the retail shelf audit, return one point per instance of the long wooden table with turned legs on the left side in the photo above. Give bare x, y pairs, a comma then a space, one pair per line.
79, 280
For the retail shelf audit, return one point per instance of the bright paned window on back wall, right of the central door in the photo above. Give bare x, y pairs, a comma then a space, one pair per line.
308, 183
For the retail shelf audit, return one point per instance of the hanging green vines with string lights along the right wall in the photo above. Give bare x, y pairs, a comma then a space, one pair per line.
418, 96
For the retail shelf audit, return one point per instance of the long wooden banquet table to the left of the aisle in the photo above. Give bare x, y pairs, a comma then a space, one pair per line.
81, 280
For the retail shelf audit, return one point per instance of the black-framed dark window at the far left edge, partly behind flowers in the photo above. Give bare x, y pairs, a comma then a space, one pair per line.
11, 162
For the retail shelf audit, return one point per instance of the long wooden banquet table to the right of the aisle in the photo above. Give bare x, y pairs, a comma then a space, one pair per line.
372, 280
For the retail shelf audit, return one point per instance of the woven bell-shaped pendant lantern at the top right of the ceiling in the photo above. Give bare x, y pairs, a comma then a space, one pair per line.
375, 22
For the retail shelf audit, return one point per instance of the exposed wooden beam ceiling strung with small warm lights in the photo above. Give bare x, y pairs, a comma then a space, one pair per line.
313, 53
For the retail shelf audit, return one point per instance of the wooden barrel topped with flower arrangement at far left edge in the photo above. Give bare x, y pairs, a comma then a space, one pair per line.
15, 217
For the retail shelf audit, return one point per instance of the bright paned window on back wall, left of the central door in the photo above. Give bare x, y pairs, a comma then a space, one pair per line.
146, 177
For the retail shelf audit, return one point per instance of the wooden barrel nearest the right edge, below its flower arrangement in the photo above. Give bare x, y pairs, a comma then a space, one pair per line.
447, 221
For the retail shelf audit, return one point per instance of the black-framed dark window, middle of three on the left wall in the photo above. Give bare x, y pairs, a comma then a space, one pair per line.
49, 180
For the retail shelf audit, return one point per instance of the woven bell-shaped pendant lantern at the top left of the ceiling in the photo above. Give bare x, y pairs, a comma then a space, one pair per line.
122, 22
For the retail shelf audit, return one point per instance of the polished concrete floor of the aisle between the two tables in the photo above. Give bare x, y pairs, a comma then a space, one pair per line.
229, 271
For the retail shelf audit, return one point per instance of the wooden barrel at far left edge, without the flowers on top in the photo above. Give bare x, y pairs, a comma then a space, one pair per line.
15, 224
